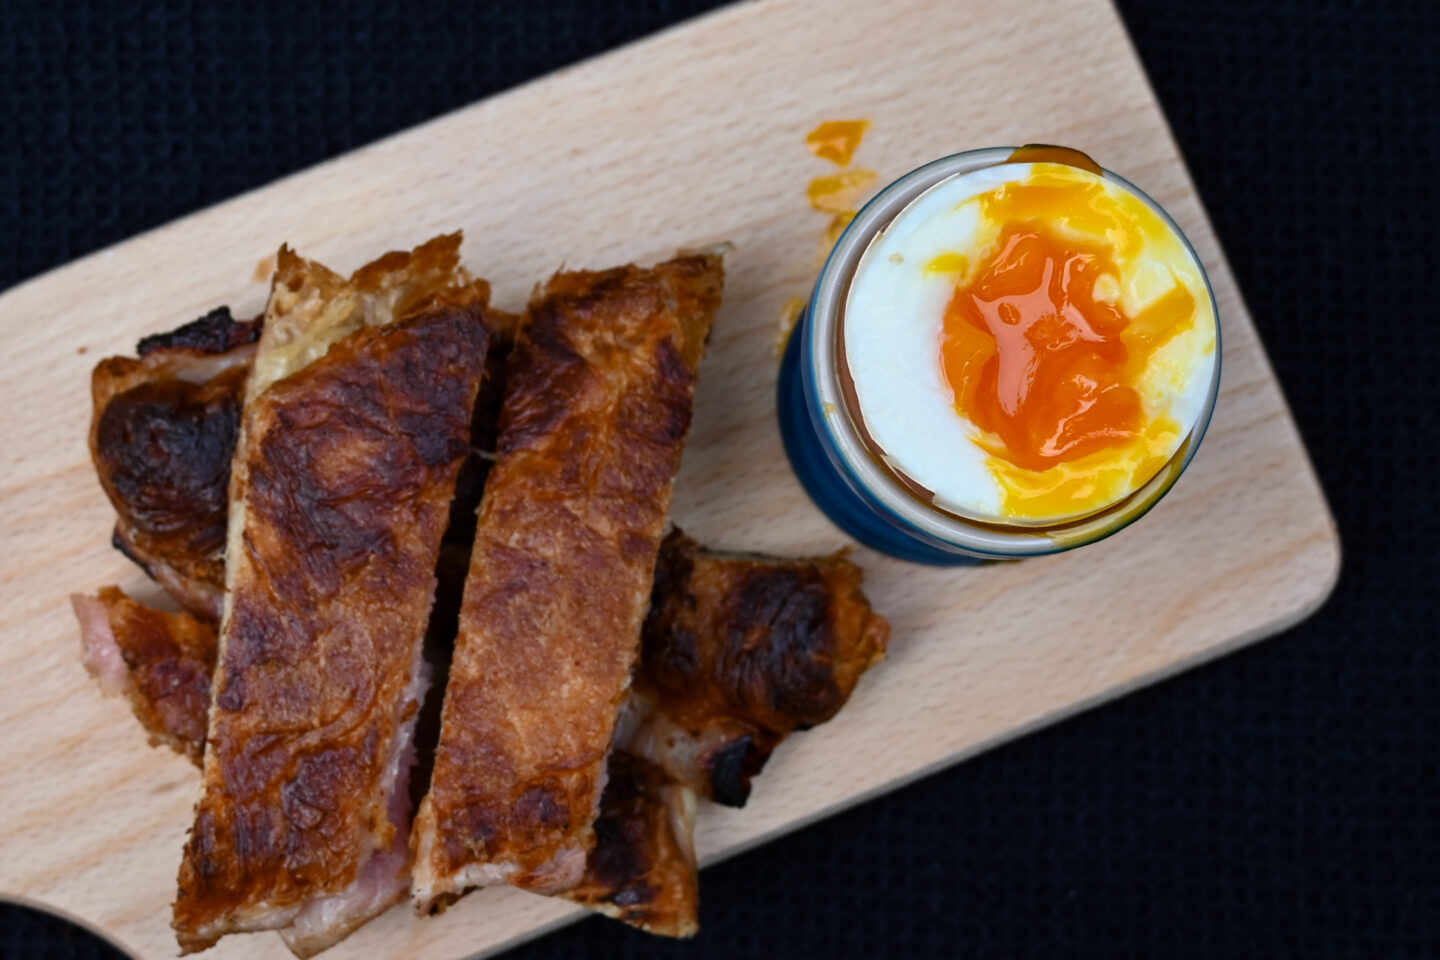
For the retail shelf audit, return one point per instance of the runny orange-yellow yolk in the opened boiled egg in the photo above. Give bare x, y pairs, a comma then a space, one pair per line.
1042, 358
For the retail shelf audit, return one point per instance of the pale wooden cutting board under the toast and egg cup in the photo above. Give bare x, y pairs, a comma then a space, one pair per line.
688, 139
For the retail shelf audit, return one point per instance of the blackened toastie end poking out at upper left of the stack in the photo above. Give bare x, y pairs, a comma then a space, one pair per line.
162, 438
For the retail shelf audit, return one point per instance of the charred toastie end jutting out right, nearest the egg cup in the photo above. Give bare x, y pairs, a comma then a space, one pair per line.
742, 651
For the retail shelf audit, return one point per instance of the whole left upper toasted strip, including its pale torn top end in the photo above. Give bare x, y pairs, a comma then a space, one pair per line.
356, 421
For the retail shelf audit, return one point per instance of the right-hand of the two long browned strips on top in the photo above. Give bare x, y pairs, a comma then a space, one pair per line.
595, 415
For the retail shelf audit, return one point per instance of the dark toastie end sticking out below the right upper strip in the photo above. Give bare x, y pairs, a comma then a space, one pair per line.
643, 869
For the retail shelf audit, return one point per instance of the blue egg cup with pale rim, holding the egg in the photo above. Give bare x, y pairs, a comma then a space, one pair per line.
842, 474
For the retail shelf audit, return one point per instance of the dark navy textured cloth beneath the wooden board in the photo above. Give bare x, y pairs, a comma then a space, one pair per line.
1281, 802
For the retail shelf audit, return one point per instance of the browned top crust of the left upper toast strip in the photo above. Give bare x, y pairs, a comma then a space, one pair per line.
351, 468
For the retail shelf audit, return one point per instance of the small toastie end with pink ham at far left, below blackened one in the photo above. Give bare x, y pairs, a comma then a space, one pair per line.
168, 660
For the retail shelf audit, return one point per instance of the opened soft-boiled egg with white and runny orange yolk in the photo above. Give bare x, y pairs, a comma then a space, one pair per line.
1029, 343
